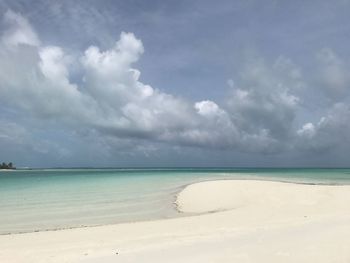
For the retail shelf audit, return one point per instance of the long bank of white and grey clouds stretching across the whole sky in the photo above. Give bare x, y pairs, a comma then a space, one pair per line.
99, 91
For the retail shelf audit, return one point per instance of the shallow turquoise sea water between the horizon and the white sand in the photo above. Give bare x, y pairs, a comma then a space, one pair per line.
36, 200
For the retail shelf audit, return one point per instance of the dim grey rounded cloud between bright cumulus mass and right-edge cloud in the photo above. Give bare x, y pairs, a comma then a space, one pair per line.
263, 103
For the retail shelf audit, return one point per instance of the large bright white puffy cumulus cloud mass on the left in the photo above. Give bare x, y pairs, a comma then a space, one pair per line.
109, 98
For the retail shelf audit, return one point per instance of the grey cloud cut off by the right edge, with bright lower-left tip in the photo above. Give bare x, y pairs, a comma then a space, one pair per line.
330, 131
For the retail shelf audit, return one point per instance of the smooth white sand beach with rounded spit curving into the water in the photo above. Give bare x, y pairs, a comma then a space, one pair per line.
259, 221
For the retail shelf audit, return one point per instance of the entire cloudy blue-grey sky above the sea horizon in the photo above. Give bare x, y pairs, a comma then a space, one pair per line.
175, 83
